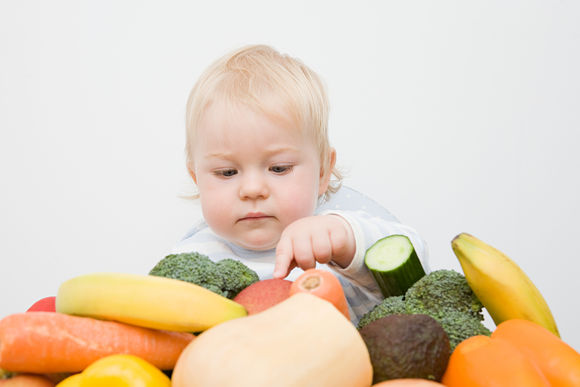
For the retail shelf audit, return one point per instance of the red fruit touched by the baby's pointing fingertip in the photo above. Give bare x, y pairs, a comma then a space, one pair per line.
263, 294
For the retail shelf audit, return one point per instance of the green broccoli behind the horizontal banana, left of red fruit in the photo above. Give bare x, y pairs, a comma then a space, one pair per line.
227, 277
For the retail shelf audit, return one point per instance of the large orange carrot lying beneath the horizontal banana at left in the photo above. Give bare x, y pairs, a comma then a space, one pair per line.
49, 342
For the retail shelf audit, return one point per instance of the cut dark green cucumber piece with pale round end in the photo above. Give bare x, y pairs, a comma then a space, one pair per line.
394, 264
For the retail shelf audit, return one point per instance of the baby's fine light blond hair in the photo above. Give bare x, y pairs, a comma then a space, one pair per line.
274, 84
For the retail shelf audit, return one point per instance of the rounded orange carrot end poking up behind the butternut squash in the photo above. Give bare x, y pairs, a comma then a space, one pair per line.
323, 284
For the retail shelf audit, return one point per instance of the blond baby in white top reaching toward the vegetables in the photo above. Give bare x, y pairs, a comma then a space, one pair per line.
258, 151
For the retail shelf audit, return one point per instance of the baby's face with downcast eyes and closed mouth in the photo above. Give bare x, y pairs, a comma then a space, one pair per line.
255, 175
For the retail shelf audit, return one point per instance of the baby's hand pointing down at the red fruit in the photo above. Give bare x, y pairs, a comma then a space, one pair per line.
314, 239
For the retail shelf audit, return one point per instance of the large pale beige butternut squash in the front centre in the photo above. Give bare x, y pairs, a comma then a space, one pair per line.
302, 341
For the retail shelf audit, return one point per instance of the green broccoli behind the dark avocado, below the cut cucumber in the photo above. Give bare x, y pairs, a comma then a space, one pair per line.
443, 295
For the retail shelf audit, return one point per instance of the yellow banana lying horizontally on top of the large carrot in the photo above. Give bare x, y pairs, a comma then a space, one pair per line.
146, 300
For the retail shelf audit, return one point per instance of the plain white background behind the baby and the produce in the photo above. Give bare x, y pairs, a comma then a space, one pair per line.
458, 116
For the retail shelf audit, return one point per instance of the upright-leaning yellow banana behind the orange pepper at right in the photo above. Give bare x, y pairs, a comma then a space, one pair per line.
501, 285
